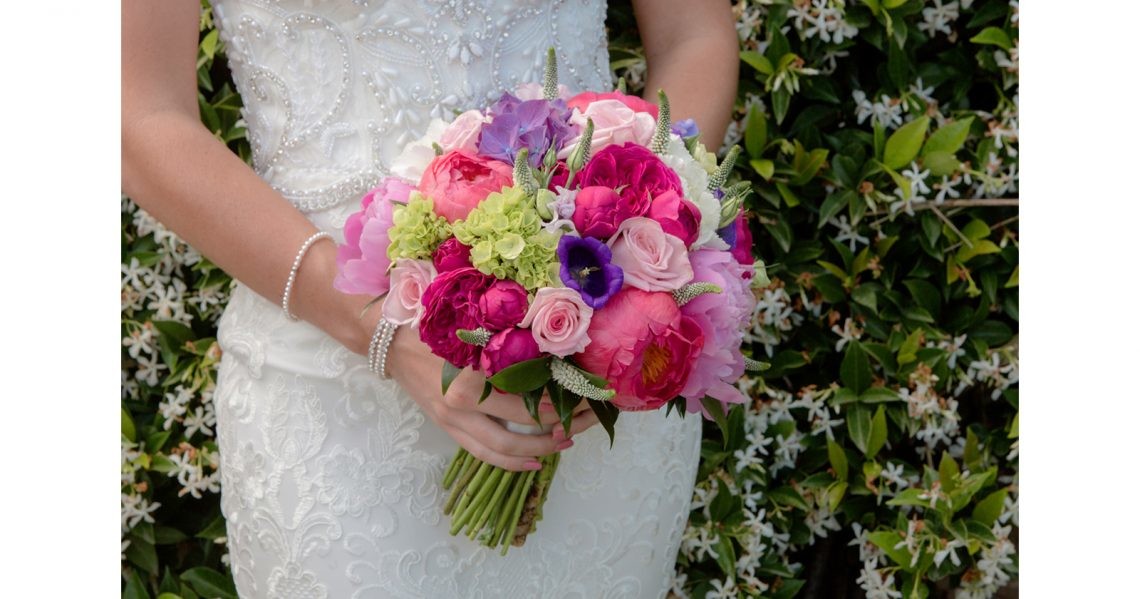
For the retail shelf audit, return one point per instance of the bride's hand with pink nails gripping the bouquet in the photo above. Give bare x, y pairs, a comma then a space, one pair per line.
474, 425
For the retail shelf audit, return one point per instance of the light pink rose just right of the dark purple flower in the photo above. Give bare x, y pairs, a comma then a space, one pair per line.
653, 260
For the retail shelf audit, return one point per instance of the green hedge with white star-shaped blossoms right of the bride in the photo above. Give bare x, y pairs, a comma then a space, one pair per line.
880, 456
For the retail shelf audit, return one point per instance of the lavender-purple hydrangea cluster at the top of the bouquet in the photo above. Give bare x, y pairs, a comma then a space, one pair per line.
534, 125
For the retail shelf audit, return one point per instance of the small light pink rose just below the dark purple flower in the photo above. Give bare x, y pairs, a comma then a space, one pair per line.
559, 320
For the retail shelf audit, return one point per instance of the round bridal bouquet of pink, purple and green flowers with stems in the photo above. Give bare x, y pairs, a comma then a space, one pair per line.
574, 248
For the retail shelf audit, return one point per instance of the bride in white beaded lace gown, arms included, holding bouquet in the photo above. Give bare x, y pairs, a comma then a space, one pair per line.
331, 474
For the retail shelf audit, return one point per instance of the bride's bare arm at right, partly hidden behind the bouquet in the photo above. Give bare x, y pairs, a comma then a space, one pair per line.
693, 53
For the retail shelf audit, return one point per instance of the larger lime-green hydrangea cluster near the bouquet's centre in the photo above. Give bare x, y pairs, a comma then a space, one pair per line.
508, 241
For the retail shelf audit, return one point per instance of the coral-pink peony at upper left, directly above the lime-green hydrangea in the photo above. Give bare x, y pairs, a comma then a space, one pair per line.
459, 181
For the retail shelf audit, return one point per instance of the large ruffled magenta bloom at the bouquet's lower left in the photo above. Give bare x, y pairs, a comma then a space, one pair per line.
452, 303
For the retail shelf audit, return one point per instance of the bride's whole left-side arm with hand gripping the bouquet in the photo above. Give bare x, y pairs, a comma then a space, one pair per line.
181, 174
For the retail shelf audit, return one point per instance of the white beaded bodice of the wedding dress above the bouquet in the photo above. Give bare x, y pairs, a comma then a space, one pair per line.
335, 90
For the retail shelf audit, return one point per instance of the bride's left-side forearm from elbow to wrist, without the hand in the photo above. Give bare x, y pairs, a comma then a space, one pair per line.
183, 176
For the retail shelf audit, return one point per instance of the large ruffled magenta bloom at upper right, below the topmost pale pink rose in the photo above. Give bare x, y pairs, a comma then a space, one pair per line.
636, 173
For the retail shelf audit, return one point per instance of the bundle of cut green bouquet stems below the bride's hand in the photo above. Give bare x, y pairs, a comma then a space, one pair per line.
495, 507
